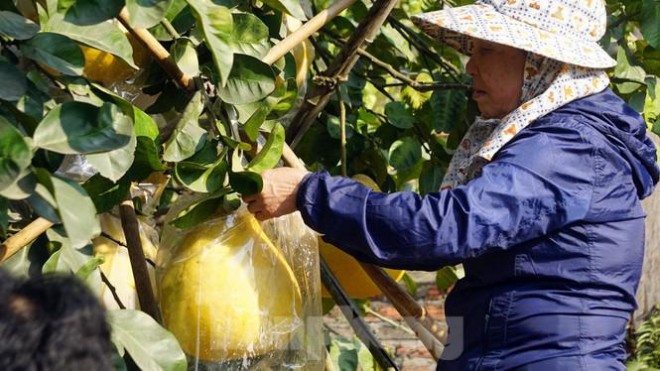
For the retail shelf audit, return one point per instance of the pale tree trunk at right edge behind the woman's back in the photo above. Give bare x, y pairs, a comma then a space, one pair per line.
648, 293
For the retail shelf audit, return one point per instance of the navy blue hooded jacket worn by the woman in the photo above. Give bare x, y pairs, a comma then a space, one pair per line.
551, 235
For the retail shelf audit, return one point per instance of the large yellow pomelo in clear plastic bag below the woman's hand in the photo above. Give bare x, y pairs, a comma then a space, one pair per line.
228, 292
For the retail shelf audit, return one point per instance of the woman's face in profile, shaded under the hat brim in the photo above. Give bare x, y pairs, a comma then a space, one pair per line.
497, 72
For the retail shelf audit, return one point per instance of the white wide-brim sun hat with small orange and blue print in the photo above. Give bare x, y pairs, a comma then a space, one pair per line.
564, 30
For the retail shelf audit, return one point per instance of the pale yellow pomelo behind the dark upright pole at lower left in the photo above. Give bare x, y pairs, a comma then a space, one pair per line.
117, 265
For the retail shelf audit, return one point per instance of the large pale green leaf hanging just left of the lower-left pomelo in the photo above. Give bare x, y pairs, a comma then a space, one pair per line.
75, 208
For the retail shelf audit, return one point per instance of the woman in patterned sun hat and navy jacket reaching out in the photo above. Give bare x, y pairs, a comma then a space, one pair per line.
541, 202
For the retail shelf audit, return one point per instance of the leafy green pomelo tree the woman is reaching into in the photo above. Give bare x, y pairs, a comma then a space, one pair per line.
126, 104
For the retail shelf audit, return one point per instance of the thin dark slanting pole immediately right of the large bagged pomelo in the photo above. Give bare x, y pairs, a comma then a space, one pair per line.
353, 316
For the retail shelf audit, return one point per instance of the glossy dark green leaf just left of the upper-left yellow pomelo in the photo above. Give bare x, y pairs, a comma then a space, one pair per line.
56, 51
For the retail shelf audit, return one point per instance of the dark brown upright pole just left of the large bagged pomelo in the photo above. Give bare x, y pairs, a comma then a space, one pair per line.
131, 228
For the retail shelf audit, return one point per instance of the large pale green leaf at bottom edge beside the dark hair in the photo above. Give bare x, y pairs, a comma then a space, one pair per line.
150, 345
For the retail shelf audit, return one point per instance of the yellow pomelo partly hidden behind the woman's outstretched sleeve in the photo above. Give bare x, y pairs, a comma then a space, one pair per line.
353, 279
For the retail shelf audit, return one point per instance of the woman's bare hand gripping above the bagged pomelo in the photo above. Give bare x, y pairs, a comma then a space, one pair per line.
278, 196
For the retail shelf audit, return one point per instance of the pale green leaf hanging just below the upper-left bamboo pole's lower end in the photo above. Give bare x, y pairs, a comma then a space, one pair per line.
188, 137
